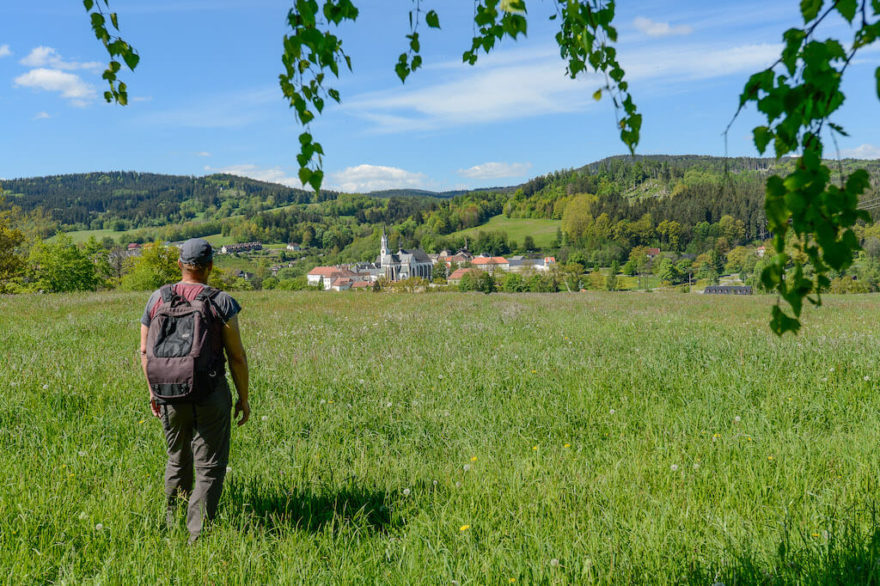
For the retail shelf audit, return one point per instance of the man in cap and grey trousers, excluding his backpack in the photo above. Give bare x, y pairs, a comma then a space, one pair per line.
197, 432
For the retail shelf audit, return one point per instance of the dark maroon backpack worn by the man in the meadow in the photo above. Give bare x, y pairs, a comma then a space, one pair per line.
185, 347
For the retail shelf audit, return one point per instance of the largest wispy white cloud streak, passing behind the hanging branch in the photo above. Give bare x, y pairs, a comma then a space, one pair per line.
524, 83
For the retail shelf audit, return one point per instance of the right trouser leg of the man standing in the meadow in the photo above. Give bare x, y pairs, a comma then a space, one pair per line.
210, 446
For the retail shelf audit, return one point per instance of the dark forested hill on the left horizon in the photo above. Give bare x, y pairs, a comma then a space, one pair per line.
122, 200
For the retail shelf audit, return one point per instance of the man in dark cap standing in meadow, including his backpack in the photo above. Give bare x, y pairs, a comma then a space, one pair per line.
188, 330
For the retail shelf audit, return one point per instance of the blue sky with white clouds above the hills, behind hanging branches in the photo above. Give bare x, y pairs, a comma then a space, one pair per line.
205, 96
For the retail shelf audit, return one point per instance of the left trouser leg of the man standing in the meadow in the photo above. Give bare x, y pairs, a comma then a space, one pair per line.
177, 421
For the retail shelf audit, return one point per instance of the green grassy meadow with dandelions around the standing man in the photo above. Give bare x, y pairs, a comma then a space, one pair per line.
425, 439
